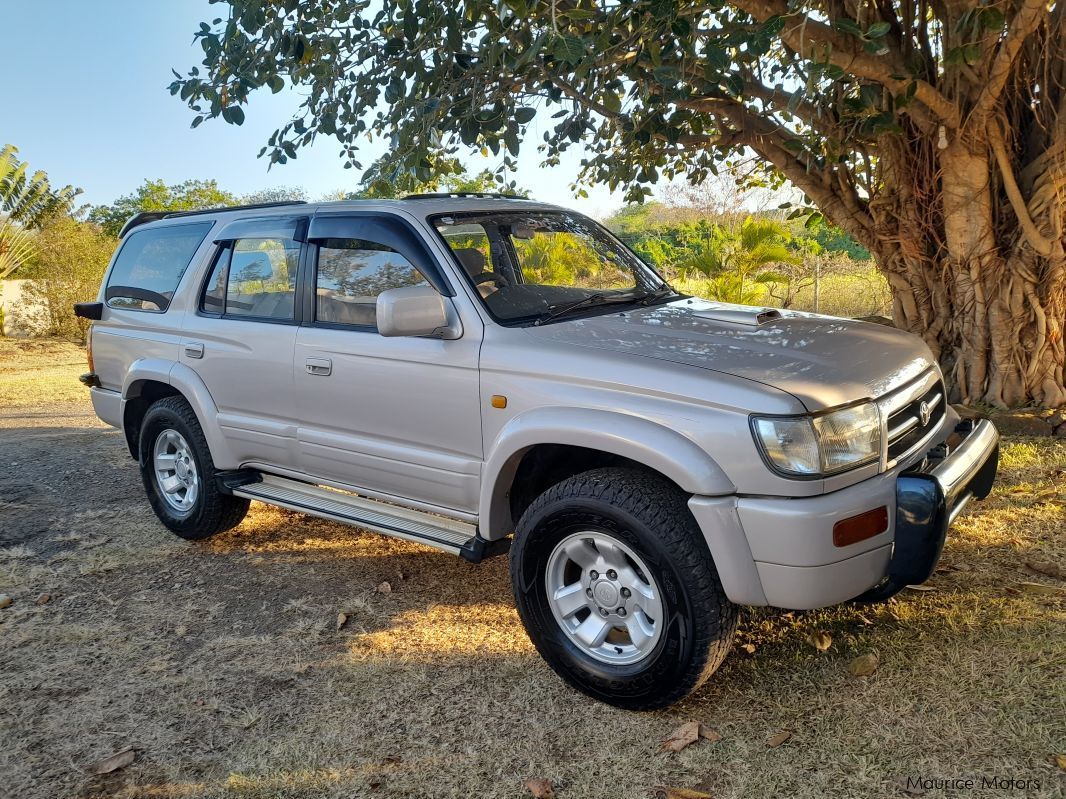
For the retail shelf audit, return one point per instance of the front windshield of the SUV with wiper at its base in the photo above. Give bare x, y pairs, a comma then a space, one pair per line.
540, 266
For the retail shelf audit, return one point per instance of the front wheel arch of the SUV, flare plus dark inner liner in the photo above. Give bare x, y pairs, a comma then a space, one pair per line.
573, 441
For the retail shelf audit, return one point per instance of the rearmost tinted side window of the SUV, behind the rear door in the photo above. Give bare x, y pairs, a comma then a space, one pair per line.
151, 265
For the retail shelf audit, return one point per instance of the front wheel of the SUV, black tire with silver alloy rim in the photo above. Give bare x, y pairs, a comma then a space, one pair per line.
647, 519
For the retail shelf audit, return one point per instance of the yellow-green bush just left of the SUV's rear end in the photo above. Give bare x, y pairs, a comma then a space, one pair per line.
70, 264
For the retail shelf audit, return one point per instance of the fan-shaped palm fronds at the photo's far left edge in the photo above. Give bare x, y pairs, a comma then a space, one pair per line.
27, 201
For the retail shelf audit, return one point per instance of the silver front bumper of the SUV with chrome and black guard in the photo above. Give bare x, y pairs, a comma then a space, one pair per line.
771, 551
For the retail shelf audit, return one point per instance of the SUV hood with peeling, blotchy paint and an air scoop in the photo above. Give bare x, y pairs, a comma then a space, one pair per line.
823, 362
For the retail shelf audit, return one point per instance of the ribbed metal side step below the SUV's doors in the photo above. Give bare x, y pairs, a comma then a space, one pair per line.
439, 532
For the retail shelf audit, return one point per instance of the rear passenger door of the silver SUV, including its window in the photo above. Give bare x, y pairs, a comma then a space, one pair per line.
241, 339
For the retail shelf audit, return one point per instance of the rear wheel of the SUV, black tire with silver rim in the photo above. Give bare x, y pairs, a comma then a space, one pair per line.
199, 510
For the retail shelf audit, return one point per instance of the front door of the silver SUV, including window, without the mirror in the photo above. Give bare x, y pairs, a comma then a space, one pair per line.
390, 417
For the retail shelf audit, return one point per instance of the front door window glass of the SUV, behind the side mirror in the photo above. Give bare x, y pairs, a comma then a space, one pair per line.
352, 273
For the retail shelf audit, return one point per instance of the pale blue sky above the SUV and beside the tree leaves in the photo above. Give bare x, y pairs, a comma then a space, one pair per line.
85, 99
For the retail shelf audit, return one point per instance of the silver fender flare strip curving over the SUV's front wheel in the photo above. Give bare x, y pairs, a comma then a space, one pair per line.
661, 449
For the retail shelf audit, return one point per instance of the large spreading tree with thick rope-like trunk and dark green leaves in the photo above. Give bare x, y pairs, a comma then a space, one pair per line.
933, 133
